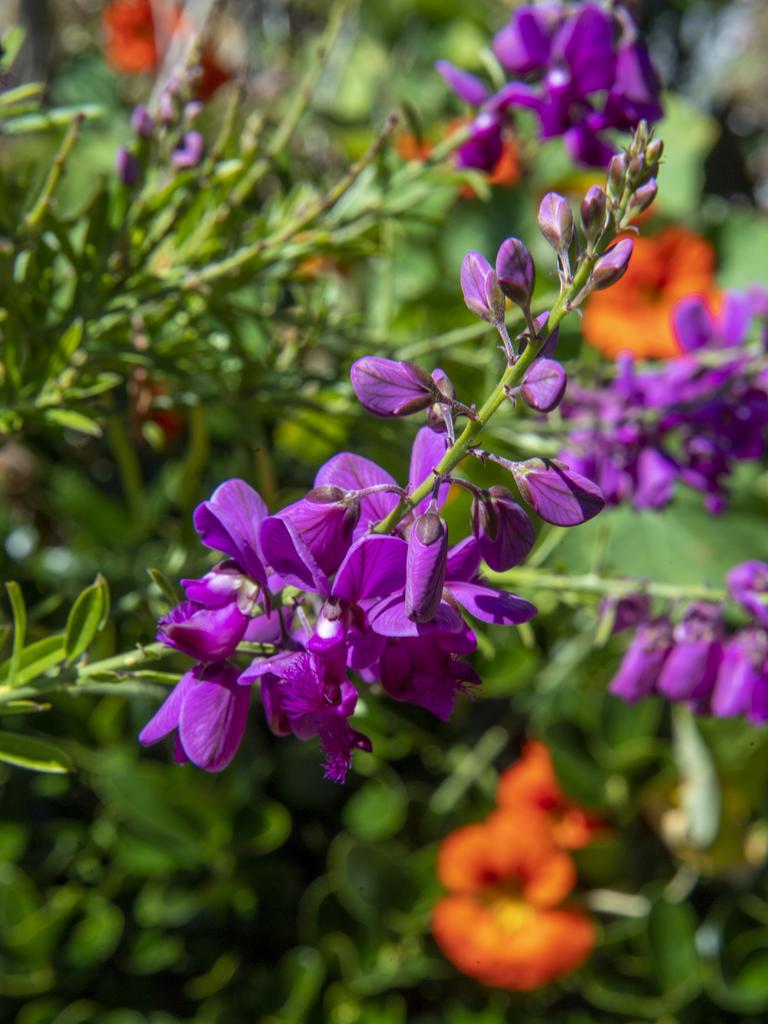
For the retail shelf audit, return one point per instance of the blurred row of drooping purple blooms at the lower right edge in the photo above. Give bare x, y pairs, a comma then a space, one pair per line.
697, 661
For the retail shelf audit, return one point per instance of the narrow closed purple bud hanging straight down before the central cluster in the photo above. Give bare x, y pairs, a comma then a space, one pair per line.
425, 566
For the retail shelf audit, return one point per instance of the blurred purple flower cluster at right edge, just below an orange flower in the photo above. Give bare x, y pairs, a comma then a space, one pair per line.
689, 420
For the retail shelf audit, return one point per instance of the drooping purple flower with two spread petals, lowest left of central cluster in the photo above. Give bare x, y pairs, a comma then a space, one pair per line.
208, 712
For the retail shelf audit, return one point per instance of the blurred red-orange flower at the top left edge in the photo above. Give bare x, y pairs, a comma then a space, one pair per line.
138, 34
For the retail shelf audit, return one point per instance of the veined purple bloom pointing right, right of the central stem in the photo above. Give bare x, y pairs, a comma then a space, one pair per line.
558, 494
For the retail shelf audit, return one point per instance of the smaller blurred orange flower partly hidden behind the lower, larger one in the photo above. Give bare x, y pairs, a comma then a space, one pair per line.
531, 786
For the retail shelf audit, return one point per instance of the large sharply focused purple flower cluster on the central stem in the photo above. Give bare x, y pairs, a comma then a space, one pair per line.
331, 594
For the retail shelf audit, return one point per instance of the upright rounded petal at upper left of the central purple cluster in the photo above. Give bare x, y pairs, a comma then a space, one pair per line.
230, 521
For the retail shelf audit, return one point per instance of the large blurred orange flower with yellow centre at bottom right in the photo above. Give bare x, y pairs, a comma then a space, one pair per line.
501, 923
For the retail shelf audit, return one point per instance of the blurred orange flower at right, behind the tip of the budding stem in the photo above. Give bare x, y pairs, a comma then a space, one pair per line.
635, 316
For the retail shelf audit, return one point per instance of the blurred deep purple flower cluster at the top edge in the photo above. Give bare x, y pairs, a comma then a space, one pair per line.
581, 69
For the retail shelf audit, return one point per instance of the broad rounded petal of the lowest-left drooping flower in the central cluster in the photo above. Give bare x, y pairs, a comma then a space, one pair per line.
214, 718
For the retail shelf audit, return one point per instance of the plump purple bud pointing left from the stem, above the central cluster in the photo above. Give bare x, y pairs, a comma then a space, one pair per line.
392, 389
